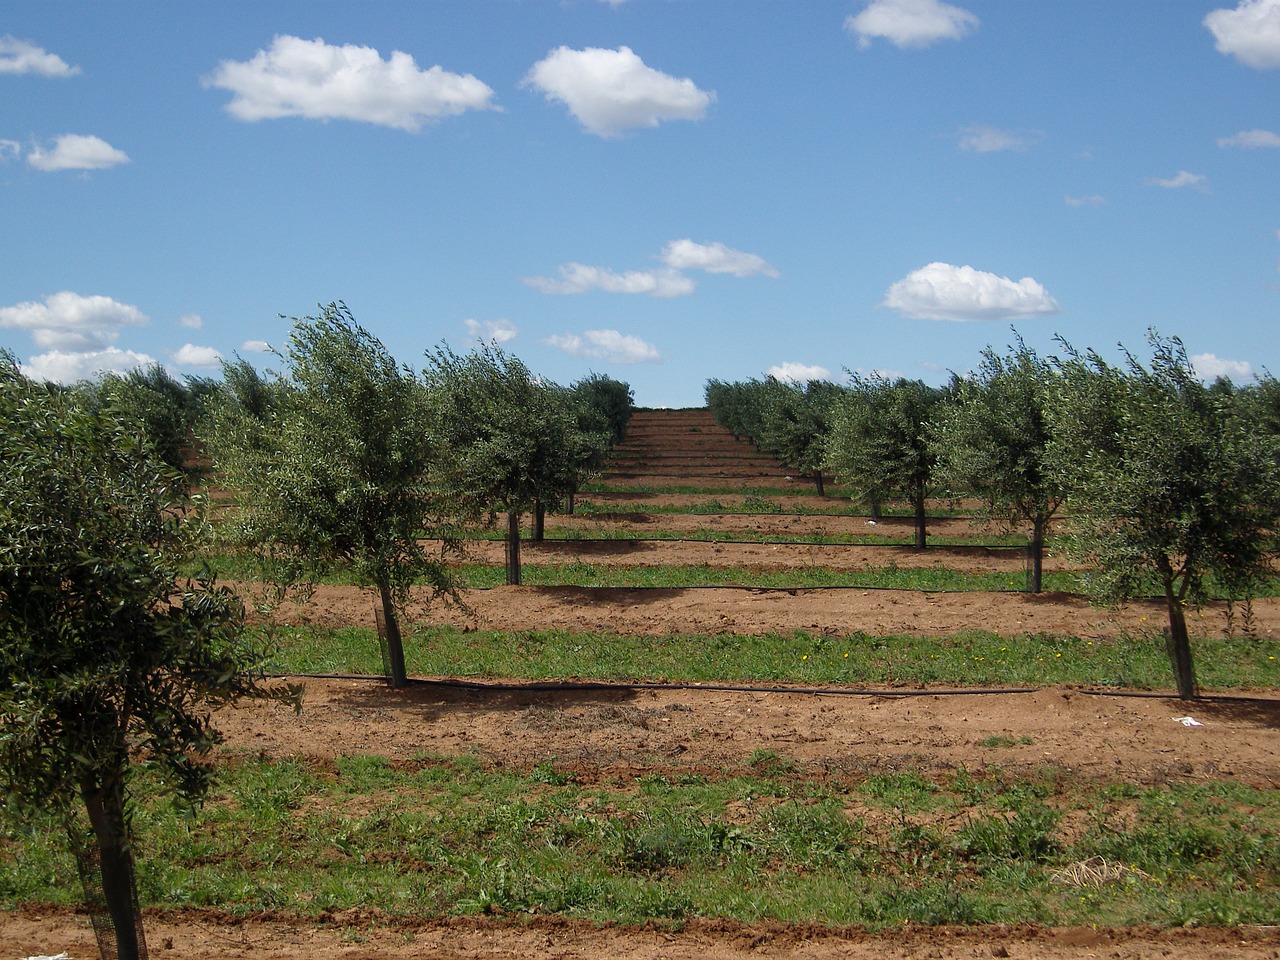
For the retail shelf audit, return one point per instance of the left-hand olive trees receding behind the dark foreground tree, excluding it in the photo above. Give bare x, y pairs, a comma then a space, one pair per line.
350, 459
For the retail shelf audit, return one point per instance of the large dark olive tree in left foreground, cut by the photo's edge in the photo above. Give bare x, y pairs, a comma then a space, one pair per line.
108, 659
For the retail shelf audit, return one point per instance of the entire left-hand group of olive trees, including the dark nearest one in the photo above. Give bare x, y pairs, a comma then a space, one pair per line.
108, 656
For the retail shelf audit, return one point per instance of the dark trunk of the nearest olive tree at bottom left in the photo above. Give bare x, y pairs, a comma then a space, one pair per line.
106, 808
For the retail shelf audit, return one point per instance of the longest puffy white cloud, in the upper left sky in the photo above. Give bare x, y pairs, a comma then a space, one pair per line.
323, 83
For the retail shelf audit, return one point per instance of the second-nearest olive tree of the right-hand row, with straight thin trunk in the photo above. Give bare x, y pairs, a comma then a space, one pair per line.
991, 441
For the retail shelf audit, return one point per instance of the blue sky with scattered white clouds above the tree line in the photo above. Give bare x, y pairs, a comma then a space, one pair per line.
664, 191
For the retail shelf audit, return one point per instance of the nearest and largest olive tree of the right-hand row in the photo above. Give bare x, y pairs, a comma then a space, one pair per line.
1169, 484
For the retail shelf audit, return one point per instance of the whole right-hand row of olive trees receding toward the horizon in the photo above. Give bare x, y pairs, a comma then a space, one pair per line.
1172, 486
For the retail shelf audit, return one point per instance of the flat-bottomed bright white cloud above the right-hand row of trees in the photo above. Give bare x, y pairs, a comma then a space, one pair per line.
945, 292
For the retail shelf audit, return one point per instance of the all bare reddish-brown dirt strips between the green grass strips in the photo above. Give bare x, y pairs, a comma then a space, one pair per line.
597, 733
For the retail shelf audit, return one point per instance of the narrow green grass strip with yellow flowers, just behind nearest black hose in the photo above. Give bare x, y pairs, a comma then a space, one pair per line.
857, 660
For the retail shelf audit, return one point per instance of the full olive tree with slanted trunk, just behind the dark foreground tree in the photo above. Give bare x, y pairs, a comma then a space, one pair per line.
331, 468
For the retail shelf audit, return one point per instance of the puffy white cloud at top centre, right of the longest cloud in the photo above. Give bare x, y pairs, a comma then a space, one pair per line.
611, 92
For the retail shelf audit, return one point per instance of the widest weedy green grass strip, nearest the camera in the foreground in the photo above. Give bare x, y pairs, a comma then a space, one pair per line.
769, 840
